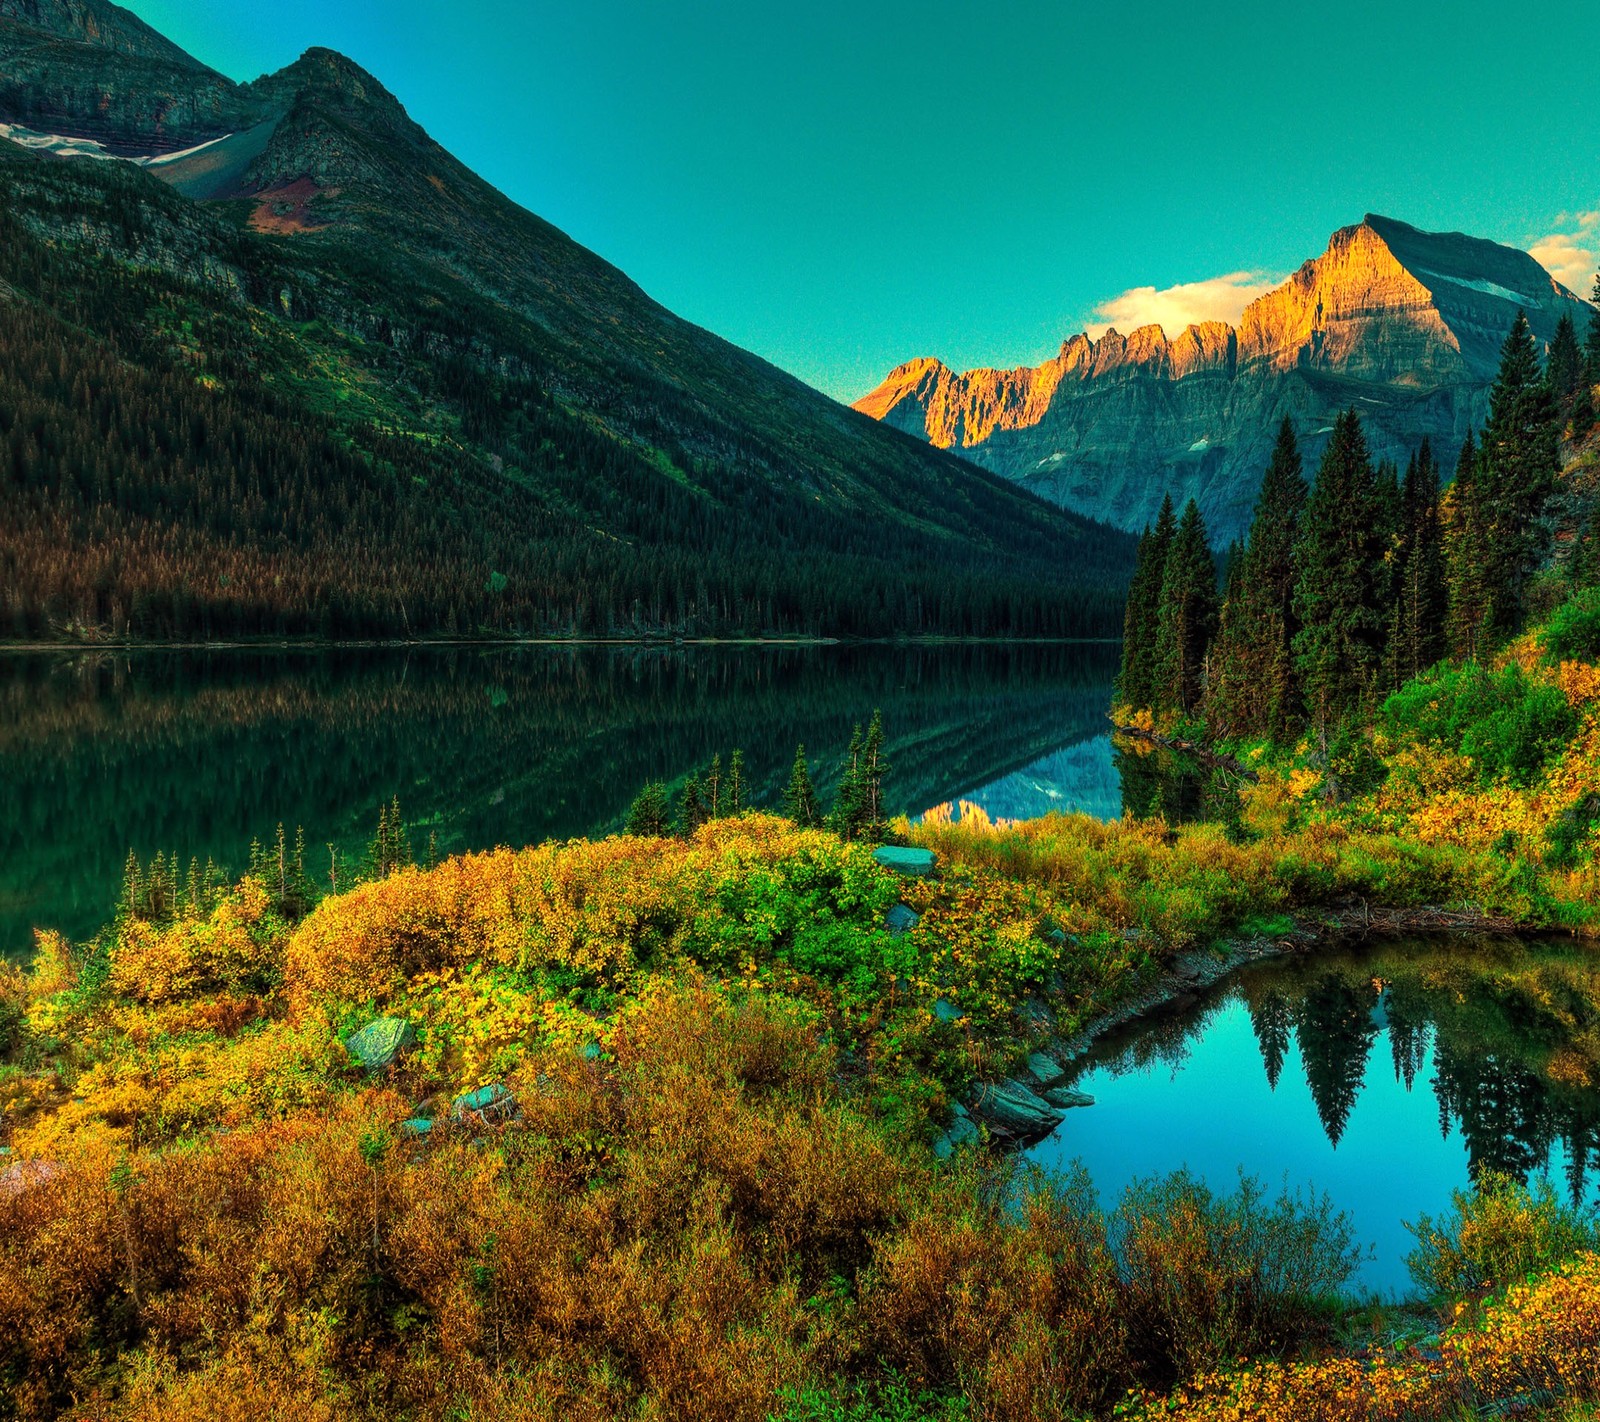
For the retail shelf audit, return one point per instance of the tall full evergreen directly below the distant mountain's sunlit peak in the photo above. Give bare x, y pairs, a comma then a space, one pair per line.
1340, 581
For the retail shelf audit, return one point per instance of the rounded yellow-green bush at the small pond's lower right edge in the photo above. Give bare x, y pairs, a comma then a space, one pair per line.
1498, 1232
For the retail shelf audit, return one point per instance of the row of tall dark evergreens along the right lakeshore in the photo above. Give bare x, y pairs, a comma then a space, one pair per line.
1351, 586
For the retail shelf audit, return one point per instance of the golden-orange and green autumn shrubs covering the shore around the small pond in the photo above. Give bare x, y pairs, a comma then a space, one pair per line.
719, 1194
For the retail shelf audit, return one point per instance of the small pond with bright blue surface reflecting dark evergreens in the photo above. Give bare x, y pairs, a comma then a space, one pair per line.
1383, 1079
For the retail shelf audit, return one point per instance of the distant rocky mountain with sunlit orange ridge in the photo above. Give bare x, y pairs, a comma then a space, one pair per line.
1404, 326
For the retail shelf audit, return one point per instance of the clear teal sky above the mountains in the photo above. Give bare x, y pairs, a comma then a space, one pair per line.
842, 186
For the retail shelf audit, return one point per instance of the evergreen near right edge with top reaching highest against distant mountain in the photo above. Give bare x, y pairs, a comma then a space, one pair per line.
1519, 461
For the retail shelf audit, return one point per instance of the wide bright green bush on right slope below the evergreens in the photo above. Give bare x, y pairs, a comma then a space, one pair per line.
1503, 722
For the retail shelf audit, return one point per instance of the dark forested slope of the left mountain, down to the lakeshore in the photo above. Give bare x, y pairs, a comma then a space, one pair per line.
204, 436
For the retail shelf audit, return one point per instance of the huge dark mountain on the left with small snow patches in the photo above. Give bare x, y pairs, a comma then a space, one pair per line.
294, 369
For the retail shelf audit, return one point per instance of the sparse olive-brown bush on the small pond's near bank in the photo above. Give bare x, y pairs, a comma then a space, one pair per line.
1214, 1277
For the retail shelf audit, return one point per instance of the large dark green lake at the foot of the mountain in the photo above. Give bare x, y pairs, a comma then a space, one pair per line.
199, 753
